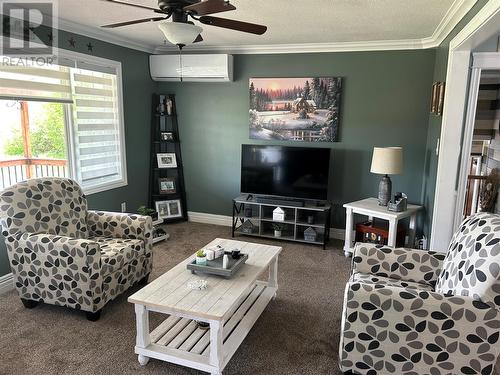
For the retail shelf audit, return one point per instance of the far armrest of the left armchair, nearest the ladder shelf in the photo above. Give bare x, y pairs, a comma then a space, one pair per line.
120, 225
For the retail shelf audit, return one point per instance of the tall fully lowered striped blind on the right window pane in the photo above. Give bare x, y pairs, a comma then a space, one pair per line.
98, 140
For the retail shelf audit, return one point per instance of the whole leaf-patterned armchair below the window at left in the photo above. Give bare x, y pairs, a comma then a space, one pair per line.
61, 253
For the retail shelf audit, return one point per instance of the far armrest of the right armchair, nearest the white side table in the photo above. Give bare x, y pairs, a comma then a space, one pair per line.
420, 266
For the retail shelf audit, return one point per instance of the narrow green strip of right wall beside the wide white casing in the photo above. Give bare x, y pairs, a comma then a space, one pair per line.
431, 162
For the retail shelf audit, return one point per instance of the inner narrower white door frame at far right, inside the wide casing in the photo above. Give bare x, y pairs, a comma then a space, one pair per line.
480, 61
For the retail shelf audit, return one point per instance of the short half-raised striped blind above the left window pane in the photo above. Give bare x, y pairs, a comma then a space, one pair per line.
48, 83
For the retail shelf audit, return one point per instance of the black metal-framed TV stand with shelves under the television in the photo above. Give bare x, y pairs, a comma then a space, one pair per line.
254, 217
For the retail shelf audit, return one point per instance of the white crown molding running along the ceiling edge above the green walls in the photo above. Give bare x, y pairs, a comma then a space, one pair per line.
452, 17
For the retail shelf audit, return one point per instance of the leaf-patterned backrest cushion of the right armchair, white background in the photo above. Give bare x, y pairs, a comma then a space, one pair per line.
472, 265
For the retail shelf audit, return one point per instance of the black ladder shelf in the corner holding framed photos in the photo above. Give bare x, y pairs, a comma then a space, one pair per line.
164, 121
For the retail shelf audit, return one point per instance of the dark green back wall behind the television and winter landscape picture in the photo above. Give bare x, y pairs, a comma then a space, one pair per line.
385, 102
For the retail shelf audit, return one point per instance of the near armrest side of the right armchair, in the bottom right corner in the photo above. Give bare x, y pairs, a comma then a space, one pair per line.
416, 332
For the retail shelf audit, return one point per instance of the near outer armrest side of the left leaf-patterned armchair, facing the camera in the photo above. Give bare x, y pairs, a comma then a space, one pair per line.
57, 268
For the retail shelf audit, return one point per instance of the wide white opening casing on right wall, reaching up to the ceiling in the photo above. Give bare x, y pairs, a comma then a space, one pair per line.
481, 27
